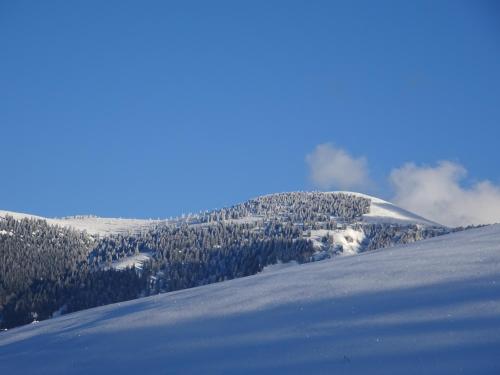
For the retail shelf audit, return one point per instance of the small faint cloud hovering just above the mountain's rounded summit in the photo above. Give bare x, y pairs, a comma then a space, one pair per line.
332, 167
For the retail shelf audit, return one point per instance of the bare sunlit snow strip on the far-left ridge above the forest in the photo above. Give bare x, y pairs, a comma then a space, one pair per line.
92, 224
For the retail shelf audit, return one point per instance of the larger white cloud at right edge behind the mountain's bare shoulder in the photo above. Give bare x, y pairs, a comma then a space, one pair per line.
436, 193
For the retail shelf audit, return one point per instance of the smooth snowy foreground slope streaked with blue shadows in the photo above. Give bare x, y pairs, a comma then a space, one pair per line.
432, 307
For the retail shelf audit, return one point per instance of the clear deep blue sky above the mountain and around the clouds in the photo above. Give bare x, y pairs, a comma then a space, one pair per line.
154, 108
